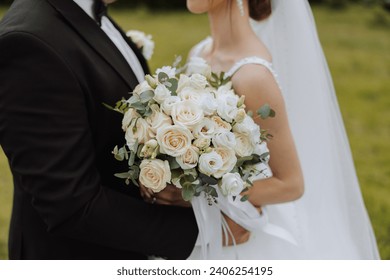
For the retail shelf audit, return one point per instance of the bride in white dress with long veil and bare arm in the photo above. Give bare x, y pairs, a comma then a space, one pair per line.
279, 61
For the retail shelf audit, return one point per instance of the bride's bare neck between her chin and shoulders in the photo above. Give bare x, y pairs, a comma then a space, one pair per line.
228, 28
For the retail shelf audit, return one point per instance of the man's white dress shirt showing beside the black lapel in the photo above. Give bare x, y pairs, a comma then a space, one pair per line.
116, 38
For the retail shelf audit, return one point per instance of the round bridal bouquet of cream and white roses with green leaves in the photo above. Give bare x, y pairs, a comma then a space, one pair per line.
191, 130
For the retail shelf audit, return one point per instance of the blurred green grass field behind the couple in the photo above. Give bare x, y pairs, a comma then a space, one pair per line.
356, 42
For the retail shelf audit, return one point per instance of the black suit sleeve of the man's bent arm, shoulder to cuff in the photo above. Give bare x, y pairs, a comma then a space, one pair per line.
45, 132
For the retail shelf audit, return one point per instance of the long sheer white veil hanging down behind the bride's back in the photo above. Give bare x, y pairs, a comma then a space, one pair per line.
331, 219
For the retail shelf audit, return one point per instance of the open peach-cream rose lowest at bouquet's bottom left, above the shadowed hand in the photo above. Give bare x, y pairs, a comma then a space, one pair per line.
155, 174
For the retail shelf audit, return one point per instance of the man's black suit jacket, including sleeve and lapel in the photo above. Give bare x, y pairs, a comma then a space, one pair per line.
57, 67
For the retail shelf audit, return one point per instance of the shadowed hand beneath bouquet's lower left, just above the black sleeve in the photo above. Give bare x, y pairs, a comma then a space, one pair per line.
169, 196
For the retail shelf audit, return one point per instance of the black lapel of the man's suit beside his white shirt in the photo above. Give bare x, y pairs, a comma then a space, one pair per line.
96, 38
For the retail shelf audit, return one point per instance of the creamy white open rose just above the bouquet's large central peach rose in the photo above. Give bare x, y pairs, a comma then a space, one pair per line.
187, 114
